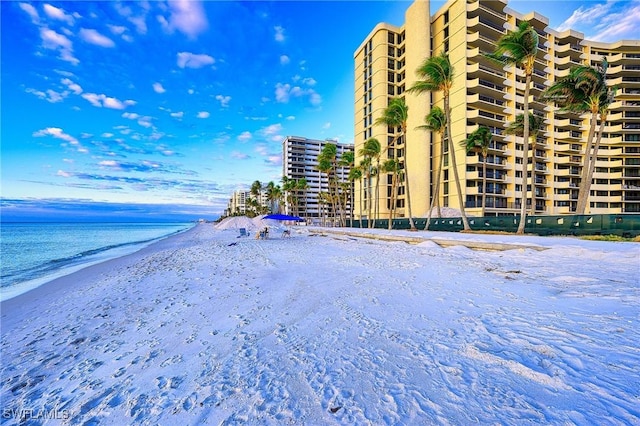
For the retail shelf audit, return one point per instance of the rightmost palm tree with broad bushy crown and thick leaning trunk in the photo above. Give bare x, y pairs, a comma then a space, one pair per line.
585, 90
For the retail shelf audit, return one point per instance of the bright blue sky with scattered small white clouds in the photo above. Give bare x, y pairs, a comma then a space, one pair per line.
172, 105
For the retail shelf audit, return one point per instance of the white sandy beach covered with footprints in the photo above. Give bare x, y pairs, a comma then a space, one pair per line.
208, 328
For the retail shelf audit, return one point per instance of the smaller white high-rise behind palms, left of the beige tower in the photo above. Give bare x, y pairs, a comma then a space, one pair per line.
300, 160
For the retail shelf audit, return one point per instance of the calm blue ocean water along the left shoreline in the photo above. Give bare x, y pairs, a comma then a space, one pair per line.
35, 253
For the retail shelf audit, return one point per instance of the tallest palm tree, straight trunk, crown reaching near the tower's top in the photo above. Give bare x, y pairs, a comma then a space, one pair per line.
519, 48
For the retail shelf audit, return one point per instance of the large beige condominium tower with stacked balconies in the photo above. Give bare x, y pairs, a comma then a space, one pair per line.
487, 94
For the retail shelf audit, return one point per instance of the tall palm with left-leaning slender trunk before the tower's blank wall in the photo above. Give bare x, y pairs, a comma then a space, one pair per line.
437, 76
